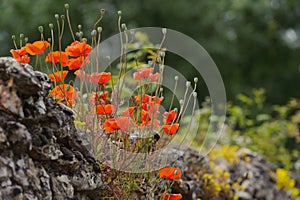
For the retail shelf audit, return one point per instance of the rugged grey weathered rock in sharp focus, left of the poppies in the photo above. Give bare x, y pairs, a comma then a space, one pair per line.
41, 156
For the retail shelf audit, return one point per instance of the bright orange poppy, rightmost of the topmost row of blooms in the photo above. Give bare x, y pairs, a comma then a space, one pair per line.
77, 49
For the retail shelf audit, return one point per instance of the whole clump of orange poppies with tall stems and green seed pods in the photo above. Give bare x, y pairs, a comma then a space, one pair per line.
97, 101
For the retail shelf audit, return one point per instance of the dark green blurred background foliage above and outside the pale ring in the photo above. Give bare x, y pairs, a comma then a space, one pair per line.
254, 43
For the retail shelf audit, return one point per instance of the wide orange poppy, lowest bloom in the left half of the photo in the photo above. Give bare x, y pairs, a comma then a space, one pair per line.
119, 123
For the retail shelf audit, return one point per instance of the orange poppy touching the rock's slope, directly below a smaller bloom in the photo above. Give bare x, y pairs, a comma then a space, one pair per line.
63, 91
